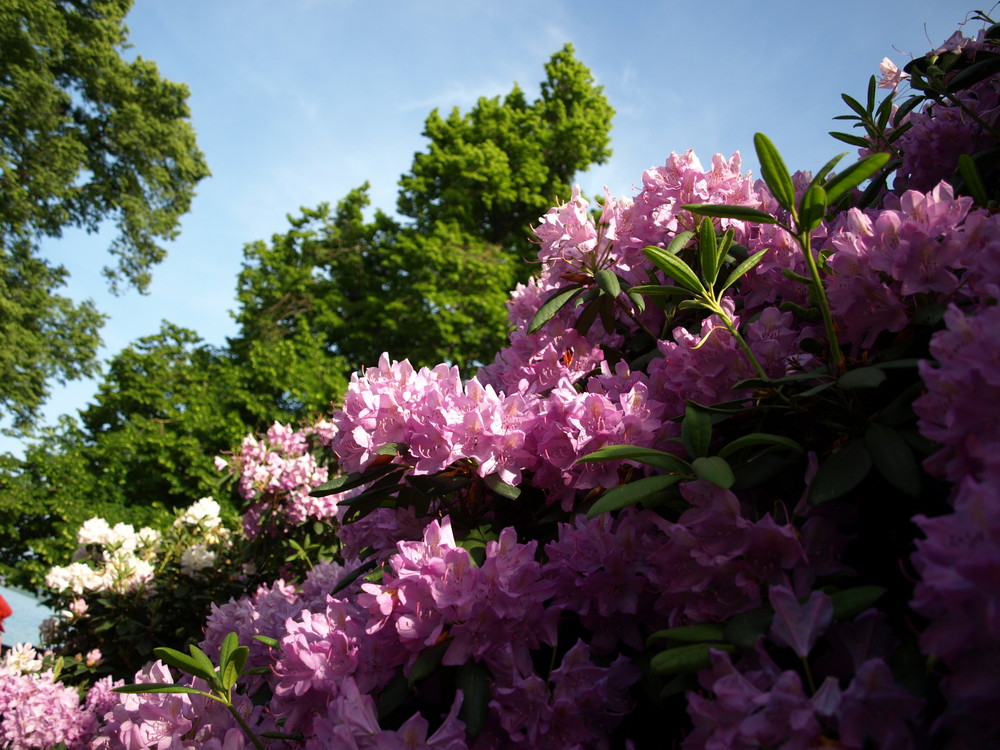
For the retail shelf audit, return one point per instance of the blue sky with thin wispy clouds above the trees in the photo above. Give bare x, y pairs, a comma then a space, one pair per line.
296, 102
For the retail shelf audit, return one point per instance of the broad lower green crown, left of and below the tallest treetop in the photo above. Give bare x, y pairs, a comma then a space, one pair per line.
350, 289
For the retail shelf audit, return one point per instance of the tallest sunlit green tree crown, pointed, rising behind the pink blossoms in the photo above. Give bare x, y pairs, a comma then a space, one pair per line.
497, 168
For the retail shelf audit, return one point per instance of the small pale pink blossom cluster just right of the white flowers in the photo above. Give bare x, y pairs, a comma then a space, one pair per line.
276, 474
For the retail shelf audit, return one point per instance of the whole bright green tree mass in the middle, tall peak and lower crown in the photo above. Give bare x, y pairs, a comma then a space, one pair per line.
433, 288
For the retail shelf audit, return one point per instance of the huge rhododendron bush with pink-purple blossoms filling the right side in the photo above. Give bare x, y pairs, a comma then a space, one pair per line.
732, 484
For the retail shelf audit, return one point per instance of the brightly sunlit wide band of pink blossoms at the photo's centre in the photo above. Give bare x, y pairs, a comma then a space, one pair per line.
439, 420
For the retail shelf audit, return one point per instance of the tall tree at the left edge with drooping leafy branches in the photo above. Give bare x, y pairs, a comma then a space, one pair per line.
86, 136
